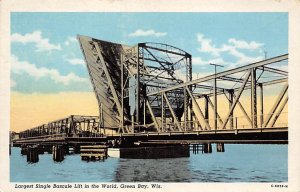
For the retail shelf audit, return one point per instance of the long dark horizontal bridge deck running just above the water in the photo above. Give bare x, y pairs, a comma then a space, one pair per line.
246, 136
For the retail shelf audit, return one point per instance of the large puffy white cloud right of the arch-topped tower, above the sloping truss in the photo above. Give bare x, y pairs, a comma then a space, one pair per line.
233, 47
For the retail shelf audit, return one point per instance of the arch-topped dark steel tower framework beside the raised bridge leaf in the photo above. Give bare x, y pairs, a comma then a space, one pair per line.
150, 67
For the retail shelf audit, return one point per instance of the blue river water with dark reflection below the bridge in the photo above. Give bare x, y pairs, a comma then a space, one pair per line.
239, 163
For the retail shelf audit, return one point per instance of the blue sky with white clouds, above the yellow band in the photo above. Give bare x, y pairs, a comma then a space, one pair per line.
46, 56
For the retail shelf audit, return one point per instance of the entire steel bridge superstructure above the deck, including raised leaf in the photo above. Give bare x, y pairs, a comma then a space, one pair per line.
148, 88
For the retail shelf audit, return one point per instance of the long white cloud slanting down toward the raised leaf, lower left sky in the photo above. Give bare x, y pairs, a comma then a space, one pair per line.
19, 67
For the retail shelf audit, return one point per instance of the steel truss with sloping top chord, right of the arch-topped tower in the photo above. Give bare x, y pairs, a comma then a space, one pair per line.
252, 79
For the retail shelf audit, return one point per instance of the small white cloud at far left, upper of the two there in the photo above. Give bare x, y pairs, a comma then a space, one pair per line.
41, 44
